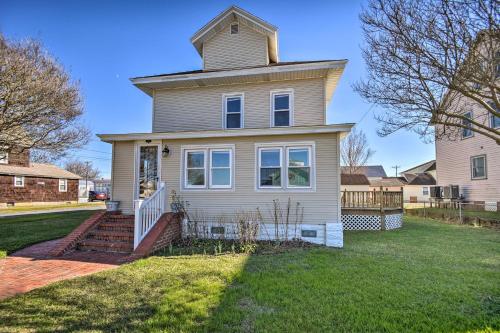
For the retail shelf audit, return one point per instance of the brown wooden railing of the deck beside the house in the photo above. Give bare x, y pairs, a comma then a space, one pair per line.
372, 199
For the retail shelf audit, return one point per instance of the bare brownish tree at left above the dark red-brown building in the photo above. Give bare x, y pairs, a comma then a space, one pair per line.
40, 107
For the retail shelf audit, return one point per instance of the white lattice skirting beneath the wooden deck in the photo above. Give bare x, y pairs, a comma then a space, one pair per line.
371, 222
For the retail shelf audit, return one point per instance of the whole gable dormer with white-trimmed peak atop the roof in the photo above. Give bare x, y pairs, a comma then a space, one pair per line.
236, 39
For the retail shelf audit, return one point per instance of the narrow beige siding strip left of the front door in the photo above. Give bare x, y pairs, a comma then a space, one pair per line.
122, 187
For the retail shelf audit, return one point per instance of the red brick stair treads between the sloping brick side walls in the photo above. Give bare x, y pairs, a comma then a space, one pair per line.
115, 233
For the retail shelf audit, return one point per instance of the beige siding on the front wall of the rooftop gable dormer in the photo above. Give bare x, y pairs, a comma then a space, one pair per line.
245, 49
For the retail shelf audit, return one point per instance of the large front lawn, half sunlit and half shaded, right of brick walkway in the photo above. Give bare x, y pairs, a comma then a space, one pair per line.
425, 277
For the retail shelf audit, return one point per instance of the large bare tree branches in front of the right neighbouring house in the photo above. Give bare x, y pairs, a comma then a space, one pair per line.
431, 61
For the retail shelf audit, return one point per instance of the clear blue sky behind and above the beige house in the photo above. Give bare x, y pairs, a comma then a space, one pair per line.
104, 43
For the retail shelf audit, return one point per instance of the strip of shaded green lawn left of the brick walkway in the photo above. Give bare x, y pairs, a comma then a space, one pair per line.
20, 231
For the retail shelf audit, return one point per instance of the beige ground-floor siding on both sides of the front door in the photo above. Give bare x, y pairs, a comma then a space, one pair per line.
319, 206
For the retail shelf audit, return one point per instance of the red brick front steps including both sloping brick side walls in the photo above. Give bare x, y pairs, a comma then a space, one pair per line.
111, 232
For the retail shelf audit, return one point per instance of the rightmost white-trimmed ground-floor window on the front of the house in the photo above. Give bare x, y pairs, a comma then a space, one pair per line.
299, 167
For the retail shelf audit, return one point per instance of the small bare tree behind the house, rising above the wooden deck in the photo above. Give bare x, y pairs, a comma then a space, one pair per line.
355, 151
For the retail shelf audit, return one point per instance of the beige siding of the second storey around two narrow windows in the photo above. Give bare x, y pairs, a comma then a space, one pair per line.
201, 108
